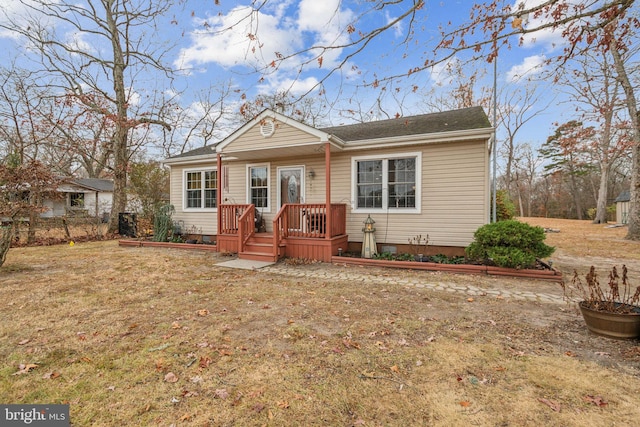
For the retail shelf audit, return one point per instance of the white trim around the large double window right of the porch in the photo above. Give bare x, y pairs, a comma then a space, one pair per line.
385, 182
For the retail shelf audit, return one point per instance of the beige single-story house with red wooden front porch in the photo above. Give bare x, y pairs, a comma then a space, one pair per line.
315, 187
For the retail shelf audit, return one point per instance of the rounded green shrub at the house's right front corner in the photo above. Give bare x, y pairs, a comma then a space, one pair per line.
510, 243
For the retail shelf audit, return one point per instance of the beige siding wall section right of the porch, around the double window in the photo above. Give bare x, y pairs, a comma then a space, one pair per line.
454, 201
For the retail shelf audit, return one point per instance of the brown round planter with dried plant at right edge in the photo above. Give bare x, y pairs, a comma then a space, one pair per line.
610, 311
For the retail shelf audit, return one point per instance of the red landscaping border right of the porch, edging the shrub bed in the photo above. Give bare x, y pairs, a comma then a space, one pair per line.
551, 275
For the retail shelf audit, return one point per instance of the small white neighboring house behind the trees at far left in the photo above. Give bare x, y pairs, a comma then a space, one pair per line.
82, 196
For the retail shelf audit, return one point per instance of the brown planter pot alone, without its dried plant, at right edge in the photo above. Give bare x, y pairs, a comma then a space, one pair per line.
613, 325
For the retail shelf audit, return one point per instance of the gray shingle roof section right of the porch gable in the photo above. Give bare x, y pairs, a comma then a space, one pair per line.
447, 121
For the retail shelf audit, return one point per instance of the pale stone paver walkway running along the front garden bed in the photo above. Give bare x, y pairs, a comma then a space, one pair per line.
352, 276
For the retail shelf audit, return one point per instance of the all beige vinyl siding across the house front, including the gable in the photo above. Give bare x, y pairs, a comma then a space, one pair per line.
454, 199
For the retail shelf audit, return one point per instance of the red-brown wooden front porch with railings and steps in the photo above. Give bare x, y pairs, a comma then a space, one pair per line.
299, 230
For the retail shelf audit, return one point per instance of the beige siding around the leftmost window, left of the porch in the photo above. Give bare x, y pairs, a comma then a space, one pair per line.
199, 222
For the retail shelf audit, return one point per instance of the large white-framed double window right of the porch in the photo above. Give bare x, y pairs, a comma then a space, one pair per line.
387, 183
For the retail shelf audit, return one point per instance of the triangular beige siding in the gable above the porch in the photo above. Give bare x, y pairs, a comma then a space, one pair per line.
284, 136
